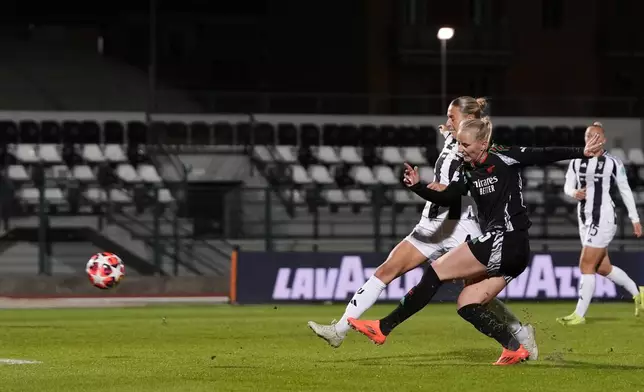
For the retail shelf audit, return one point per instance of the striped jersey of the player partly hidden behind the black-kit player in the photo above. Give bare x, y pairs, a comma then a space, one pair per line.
447, 164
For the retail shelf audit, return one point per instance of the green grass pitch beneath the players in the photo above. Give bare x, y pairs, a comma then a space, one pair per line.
268, 348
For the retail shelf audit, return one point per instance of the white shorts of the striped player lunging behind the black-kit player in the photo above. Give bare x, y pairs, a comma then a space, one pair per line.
433, 238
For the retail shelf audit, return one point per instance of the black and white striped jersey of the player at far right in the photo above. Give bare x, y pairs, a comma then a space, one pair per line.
599, 176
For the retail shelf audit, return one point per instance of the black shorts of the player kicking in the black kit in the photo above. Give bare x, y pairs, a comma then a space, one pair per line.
504, 253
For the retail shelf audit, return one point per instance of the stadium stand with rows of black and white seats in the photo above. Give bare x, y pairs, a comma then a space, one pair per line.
333, 185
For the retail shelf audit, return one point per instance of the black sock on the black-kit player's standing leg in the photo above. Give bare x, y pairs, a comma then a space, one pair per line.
489, 324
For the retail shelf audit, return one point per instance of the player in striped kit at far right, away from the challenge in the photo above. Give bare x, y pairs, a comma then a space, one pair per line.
590, 181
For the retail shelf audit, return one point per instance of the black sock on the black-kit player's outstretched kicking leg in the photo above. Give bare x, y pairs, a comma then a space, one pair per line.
413, 301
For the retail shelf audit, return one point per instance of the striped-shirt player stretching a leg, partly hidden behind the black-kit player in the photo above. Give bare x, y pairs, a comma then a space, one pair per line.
439, 230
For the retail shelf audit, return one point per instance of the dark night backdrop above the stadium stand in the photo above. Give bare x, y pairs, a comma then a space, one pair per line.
538, 49
